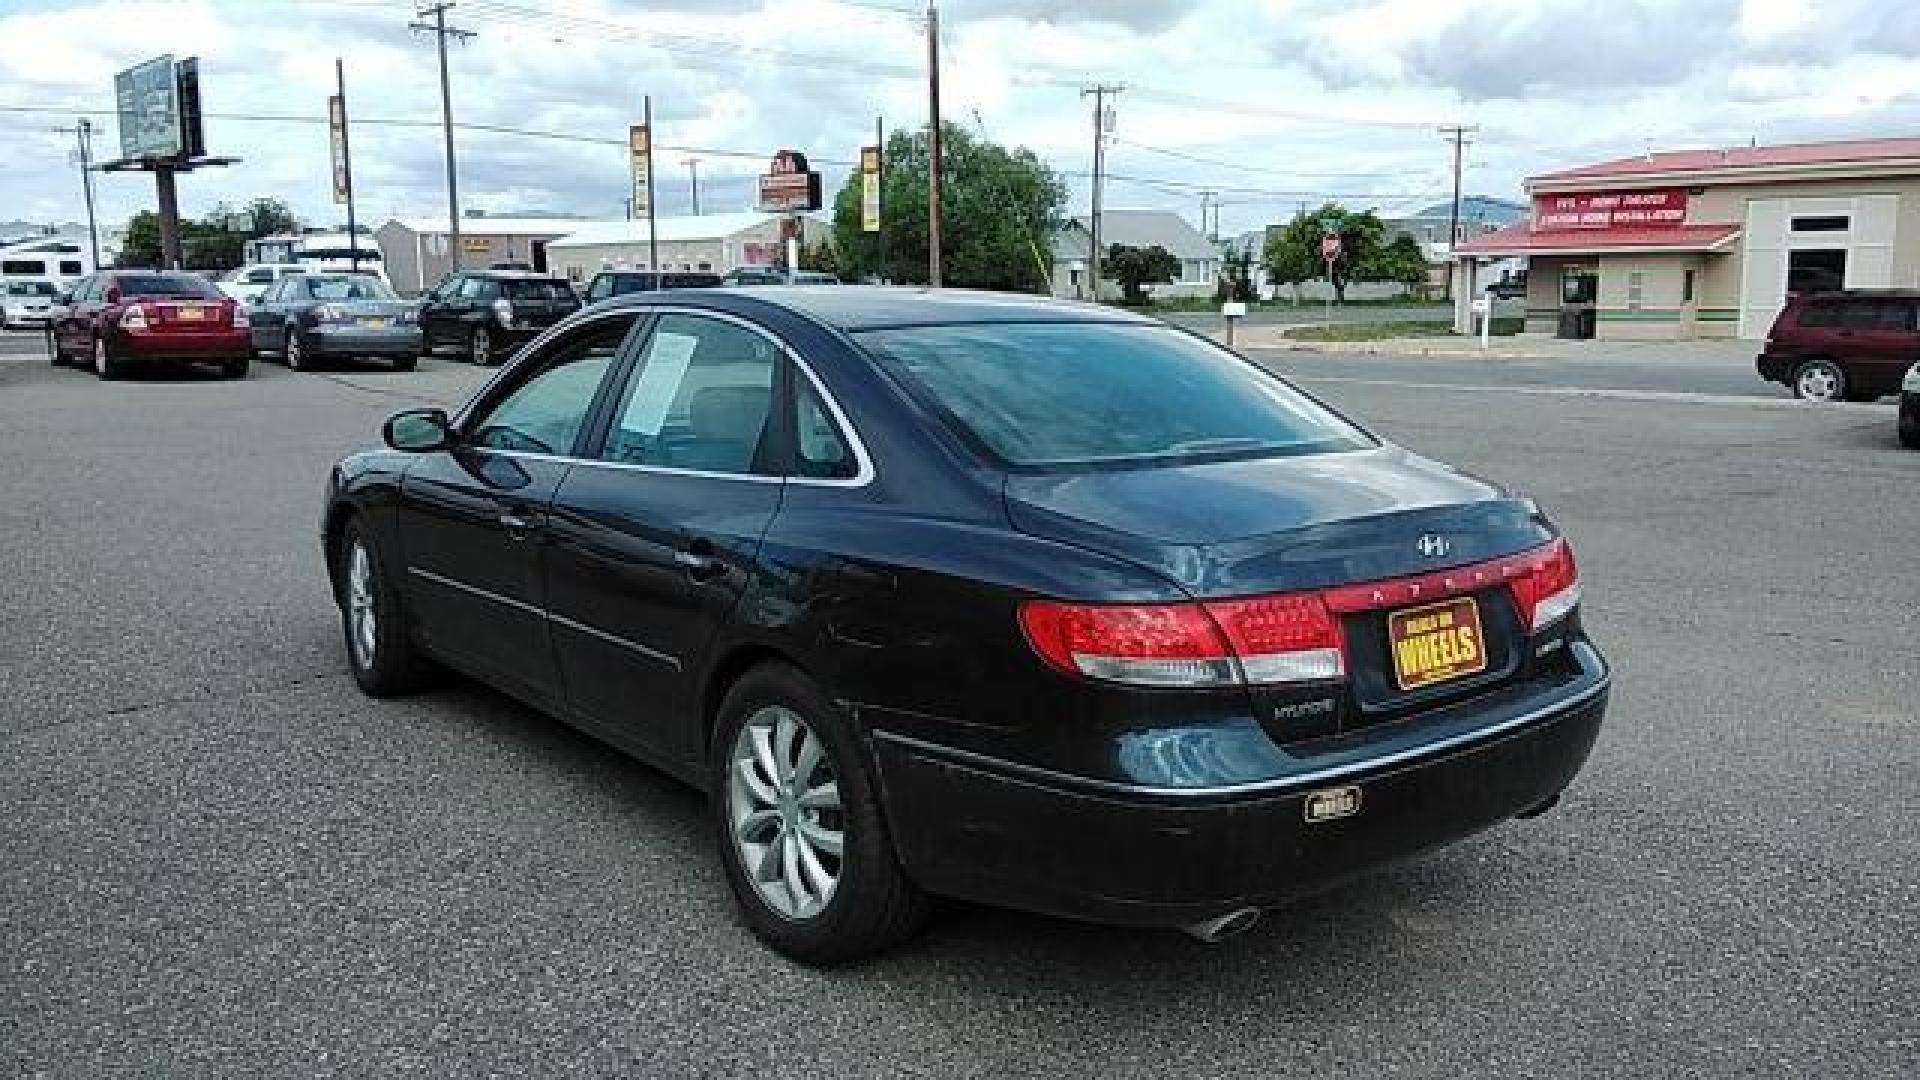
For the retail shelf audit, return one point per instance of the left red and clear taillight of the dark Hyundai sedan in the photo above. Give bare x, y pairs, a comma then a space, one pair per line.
1147, 645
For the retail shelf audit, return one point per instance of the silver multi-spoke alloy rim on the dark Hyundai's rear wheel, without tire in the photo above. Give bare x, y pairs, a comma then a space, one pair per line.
784, 814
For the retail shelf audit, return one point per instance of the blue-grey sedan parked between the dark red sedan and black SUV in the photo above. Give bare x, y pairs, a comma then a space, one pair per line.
314, 316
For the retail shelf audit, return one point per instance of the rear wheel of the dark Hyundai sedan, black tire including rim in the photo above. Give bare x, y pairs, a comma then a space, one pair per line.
859, 902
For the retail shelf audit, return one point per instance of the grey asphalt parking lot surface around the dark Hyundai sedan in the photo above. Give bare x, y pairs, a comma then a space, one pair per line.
222, 860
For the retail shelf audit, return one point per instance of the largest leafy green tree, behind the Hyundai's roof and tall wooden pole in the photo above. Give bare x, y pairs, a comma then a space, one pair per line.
997, 214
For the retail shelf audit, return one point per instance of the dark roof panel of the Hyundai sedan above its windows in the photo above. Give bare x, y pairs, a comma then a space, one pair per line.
876, 307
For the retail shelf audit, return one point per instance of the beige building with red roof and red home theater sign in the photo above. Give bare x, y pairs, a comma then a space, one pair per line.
1708, 243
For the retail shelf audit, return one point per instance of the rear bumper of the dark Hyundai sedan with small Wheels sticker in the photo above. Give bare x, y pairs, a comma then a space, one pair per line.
994, 833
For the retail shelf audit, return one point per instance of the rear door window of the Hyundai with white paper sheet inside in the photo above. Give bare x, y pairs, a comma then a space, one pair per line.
700, 399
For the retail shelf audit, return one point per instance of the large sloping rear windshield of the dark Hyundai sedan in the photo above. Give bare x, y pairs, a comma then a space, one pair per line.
1099, 395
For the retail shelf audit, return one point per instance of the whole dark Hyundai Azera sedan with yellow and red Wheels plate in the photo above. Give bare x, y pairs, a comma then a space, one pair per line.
982, 597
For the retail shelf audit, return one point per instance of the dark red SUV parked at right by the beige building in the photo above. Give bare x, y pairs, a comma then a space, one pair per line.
1835, 347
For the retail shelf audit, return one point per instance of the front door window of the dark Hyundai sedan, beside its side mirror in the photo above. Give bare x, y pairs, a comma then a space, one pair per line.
546, 412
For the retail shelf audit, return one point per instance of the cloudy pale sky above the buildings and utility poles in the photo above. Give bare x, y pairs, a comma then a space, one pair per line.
1268, 103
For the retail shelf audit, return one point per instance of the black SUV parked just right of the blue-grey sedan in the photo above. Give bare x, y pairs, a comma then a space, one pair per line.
489, 314
